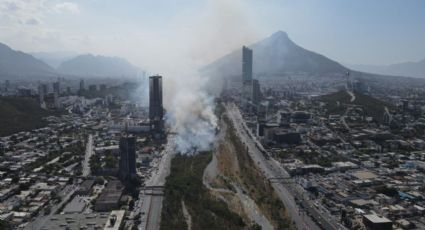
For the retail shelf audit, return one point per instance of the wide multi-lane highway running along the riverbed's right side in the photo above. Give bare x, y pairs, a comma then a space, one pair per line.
272, 169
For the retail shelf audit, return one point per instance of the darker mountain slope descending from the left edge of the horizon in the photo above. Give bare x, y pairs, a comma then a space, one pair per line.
17, 63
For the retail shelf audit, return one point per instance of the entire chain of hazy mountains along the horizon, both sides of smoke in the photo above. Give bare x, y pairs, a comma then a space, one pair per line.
274, 56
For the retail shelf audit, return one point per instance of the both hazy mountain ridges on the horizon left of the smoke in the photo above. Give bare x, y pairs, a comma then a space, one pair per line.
15, 63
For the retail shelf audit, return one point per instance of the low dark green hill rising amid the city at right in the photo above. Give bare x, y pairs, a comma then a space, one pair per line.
336, 103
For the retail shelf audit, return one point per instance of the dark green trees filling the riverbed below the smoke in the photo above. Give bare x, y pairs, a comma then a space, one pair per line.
185, 183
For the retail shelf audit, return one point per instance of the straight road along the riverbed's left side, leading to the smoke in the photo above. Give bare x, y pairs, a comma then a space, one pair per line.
151, 204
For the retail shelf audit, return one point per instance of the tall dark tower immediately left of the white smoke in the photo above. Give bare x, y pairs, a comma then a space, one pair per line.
156, 110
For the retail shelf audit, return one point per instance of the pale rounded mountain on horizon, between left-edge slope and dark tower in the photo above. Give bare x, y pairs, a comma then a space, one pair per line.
90, 65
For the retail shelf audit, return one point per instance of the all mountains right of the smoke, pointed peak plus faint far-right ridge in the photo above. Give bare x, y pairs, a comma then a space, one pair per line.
278, 55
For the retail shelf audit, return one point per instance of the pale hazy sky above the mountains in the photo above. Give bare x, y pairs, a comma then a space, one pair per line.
156, 33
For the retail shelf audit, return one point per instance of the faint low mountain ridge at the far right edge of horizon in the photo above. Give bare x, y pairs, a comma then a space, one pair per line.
409, 69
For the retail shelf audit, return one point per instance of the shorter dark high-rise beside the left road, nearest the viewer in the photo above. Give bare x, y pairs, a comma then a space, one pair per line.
127, 168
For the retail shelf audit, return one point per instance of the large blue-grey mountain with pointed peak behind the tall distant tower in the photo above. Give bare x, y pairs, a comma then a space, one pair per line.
274, 56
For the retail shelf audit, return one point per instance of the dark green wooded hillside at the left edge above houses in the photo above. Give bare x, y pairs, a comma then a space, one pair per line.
20, 114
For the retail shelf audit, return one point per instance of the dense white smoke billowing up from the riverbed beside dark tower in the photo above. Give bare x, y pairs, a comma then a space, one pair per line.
189, 112
